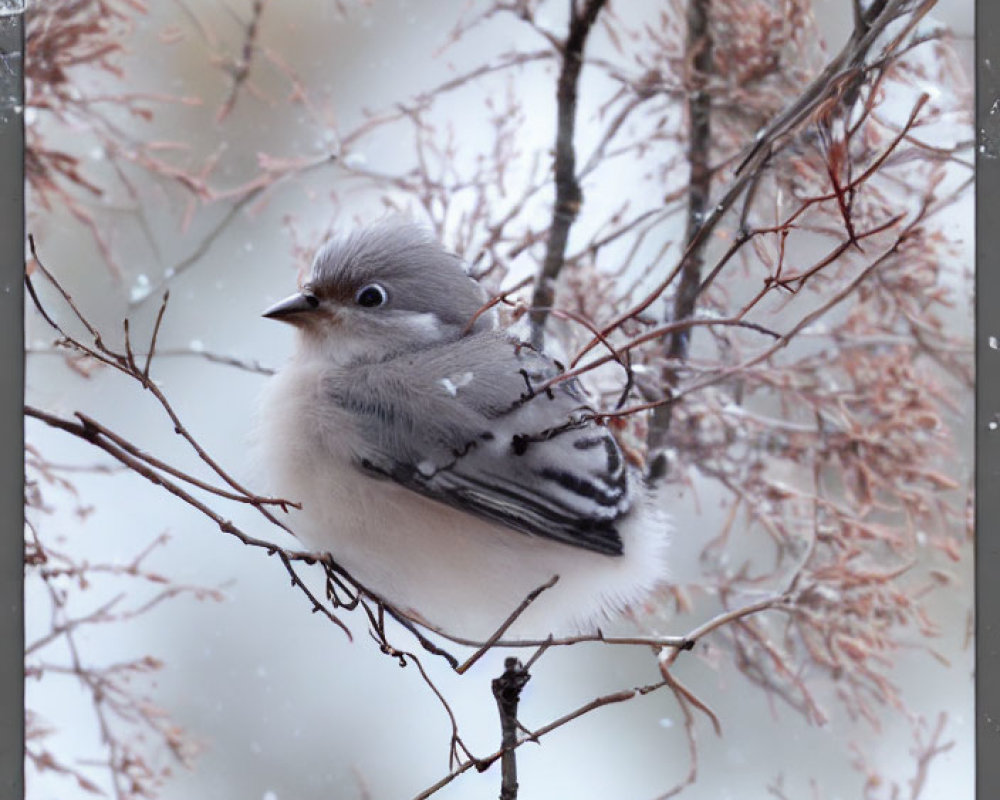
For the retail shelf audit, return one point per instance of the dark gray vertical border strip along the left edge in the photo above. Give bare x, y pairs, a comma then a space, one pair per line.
12, 398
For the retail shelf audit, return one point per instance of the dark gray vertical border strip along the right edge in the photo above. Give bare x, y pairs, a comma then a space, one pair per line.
987, 399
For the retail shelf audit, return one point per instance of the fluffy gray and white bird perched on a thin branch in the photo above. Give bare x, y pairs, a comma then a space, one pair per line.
435, 459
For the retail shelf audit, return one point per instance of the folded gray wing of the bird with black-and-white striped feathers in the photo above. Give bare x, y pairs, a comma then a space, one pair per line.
465, 425
